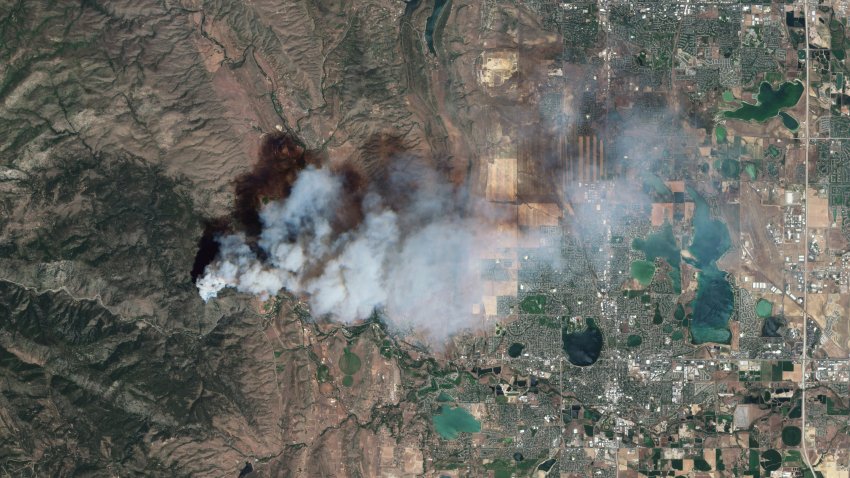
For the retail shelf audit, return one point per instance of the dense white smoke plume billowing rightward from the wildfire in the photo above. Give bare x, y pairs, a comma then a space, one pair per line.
416, 263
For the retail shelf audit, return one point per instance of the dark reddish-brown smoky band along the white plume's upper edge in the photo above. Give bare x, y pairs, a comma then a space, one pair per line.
384, 163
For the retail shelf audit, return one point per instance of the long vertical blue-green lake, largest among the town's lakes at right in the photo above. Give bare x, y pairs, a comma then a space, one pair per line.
714, 300
